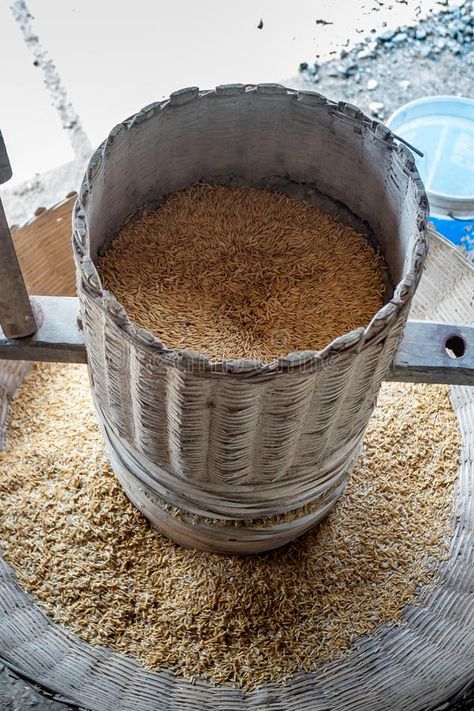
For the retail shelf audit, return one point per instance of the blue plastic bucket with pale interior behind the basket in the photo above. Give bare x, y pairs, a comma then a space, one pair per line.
442, 128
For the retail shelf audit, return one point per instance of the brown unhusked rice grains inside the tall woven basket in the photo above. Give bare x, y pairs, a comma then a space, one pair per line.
243, 273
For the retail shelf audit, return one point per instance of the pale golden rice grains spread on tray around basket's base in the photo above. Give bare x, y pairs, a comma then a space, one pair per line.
97, 566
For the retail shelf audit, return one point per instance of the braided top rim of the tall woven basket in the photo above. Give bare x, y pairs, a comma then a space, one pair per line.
90, 286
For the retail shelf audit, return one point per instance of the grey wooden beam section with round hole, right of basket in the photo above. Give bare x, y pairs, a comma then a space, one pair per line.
423, 358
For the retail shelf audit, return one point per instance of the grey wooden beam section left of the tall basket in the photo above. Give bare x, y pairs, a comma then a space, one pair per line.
58, 338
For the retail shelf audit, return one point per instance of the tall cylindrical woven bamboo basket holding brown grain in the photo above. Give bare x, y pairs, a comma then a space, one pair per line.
241, 440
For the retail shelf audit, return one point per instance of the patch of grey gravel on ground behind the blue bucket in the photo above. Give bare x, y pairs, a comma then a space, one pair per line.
384, 72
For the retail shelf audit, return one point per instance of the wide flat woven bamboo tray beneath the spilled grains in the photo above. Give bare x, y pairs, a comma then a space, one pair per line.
414, 666
